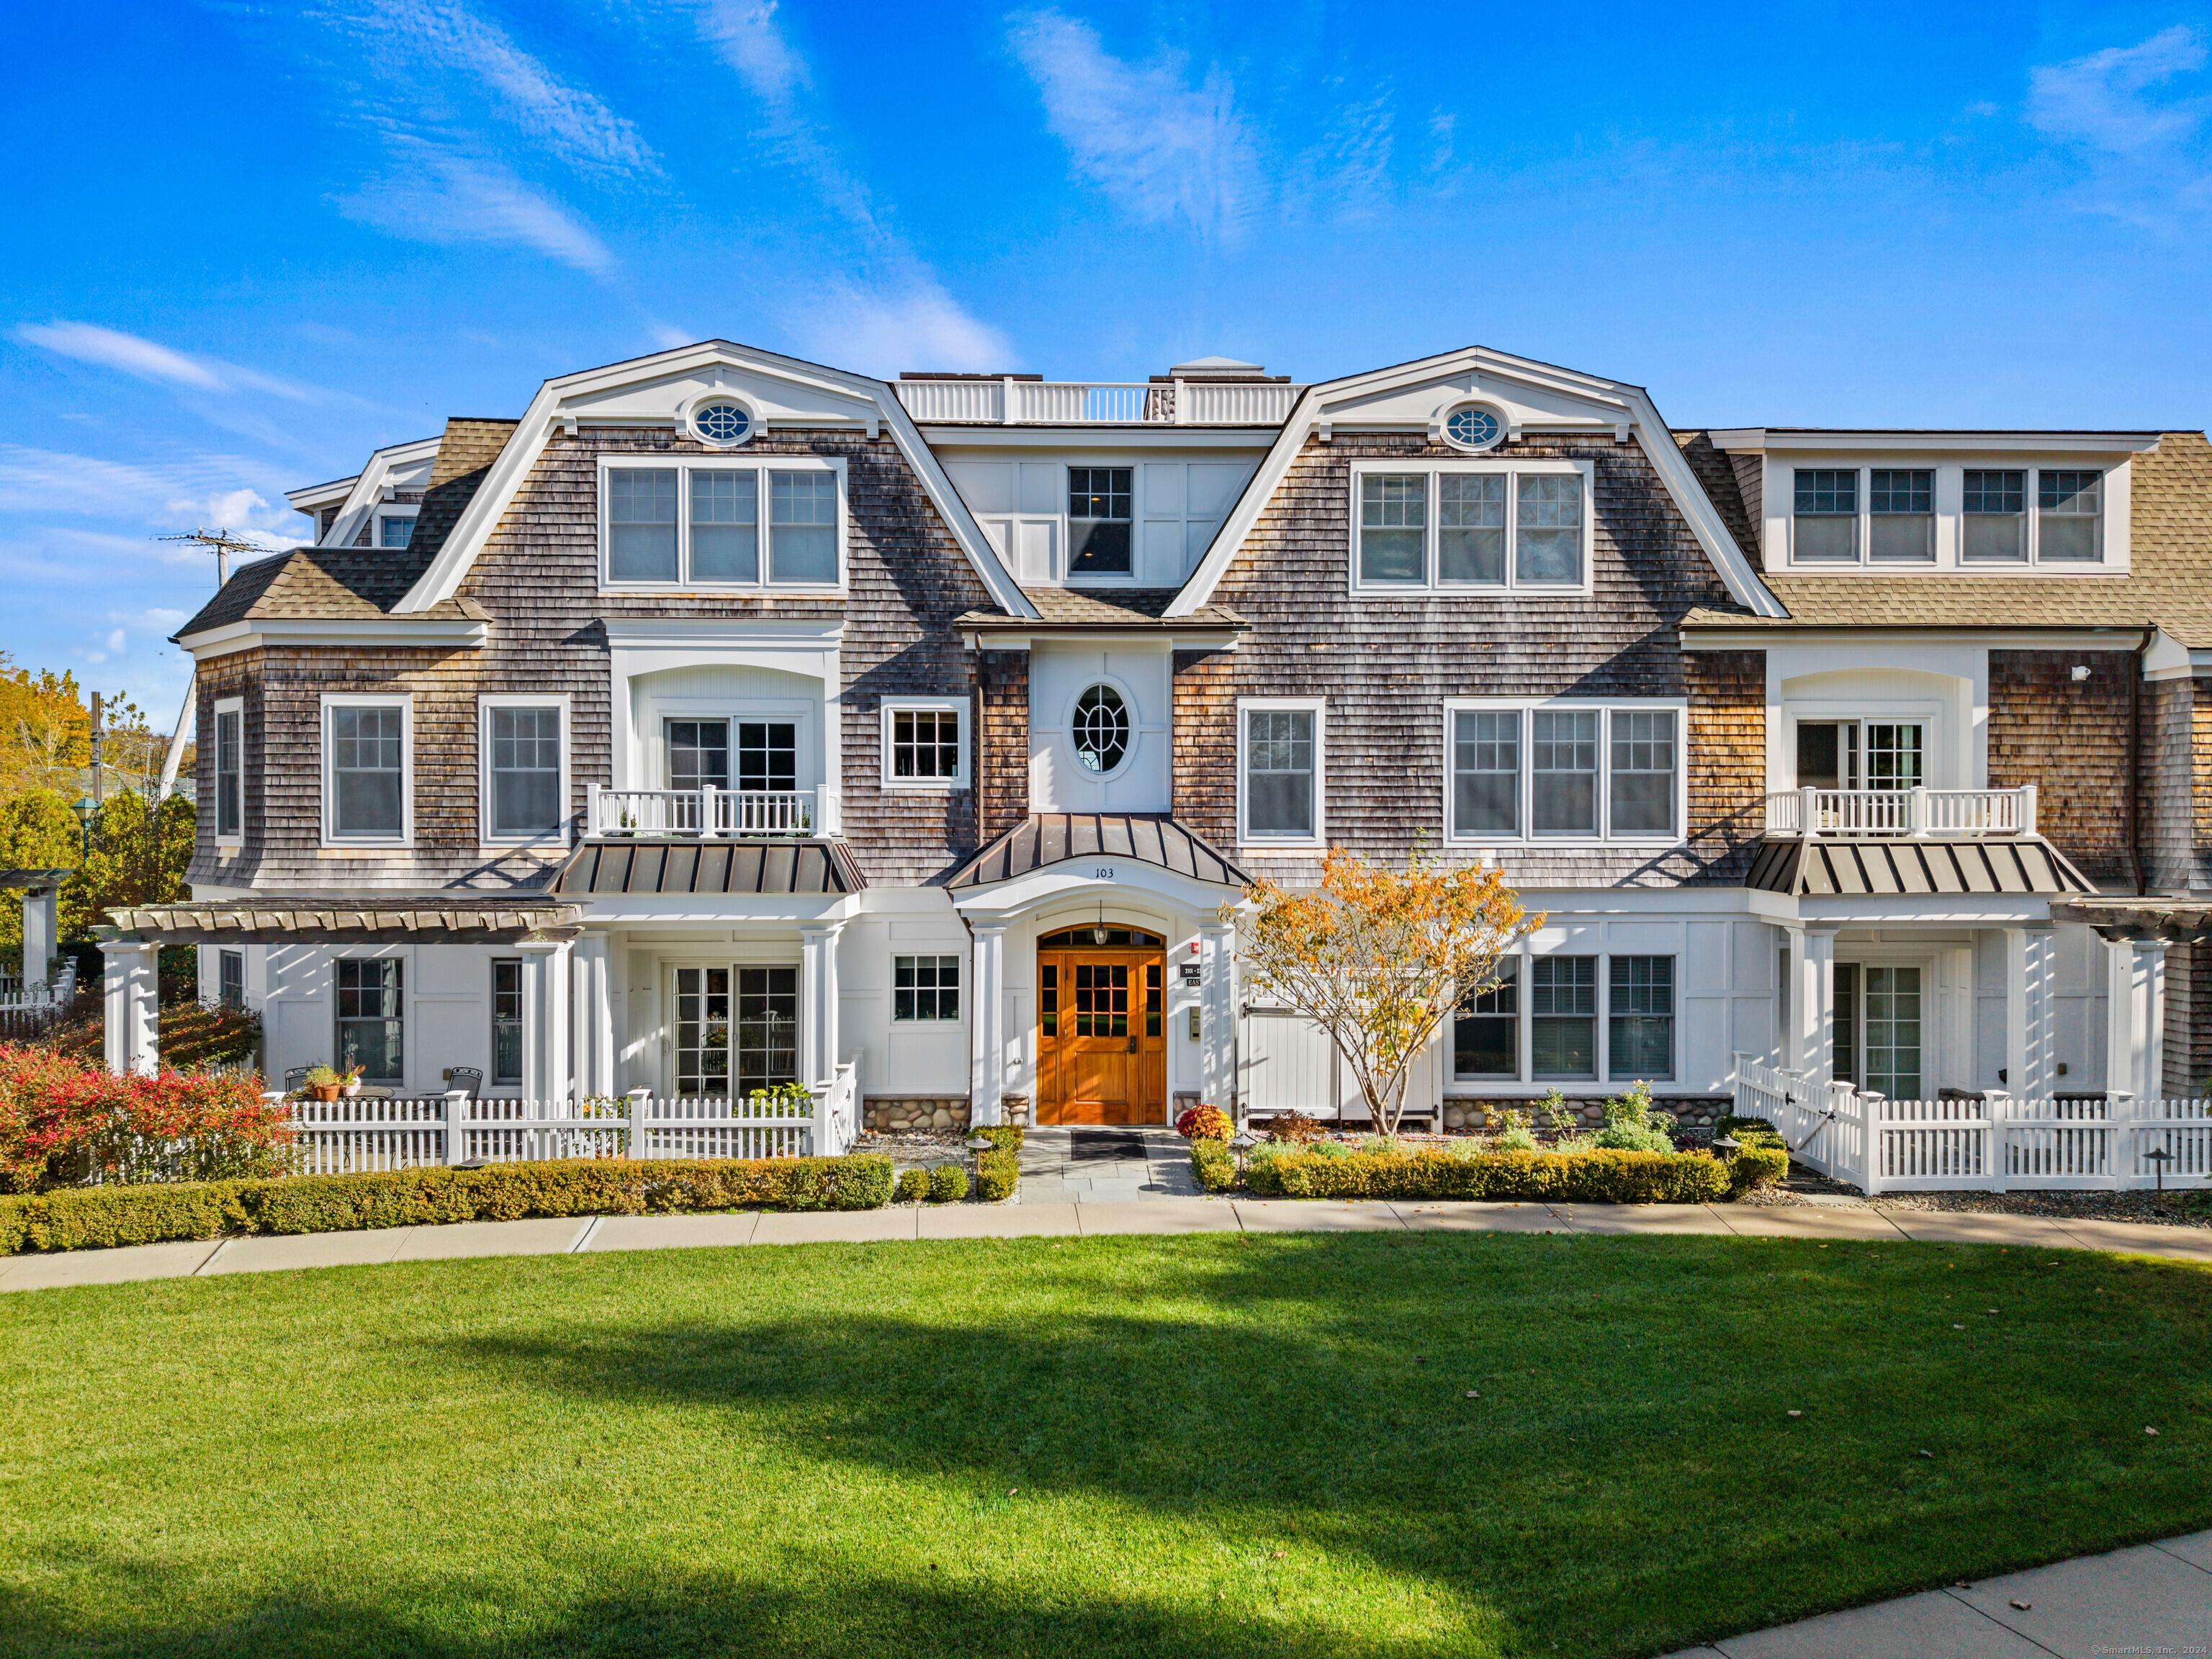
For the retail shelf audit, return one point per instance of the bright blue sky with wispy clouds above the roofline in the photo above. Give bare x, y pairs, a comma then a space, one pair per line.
258, 242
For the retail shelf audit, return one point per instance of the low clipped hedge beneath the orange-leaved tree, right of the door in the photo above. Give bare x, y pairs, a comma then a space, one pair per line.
1574, 1178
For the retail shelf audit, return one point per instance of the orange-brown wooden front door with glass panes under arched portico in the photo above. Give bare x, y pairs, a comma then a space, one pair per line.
1103, 1054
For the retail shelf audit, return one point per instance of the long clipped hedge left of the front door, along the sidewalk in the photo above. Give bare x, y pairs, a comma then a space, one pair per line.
125, 1215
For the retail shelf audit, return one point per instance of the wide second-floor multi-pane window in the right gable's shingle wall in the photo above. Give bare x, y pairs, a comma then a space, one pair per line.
1563, 773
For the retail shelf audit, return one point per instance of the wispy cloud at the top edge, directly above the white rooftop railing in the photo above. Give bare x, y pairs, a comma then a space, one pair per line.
1158, 143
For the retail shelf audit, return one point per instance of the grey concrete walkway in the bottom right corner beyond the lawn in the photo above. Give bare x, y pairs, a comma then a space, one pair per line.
2151, 1600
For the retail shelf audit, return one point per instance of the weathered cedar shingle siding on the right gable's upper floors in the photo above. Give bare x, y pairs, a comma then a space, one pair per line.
1386, 667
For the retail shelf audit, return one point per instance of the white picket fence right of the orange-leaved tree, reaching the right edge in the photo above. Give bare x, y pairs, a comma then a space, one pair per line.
1994, 1145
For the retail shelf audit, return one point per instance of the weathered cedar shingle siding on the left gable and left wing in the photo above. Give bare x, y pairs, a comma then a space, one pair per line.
539, 583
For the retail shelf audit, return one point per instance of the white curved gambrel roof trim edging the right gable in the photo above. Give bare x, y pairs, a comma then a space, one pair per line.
1311, 417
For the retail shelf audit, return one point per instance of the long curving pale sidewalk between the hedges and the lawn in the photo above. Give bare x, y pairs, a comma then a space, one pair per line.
1081, 1215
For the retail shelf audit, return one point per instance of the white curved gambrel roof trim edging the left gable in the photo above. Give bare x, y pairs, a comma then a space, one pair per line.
519, 457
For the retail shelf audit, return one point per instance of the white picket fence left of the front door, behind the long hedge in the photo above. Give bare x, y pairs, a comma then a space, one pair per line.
373, 1134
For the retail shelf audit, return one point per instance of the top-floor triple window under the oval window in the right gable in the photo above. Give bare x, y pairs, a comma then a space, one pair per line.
1485, 528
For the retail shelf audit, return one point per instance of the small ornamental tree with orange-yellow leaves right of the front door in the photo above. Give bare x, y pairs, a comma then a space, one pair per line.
1379, 959
